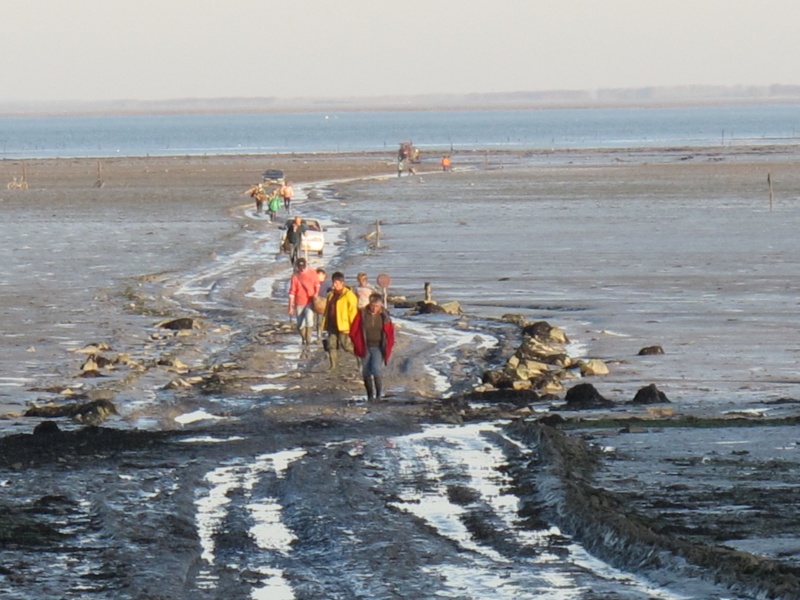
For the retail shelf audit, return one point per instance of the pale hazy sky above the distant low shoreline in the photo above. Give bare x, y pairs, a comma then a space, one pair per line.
161, 49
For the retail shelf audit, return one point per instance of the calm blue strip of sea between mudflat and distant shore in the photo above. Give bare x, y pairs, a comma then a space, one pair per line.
165, 135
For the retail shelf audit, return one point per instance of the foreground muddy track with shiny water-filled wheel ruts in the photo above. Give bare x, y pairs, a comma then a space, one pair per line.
431, 514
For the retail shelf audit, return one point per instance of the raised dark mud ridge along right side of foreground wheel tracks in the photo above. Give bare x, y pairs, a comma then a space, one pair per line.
557, 487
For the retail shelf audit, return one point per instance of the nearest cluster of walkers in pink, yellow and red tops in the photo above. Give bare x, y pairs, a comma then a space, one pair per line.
351, 320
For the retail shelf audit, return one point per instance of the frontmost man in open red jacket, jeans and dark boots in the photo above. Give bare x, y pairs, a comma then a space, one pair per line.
372, 334
